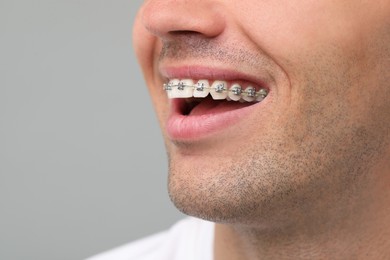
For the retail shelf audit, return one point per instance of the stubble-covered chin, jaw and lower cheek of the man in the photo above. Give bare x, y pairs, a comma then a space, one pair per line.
293, 160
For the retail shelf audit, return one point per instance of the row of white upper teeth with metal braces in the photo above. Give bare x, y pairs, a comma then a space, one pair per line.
186, 88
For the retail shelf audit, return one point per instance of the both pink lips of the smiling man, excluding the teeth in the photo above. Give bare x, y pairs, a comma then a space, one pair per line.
193, 127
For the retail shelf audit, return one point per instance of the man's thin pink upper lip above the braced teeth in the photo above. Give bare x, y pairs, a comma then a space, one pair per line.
209, 73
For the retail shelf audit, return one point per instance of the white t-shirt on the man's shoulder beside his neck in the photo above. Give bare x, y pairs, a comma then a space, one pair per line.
189, 239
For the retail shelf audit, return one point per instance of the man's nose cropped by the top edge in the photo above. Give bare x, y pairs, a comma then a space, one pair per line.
167, 18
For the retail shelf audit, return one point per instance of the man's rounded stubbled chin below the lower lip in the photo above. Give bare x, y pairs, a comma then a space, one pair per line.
218, 196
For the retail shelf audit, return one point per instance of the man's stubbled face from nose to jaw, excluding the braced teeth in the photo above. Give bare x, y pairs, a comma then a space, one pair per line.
312, 144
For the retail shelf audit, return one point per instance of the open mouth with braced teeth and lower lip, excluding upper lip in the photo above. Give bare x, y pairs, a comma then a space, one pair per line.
203, 107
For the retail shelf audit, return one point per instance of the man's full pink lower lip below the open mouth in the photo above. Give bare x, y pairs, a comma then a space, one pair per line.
193, 127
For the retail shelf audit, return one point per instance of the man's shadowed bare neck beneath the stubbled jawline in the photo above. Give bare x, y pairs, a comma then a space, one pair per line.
363, 233
